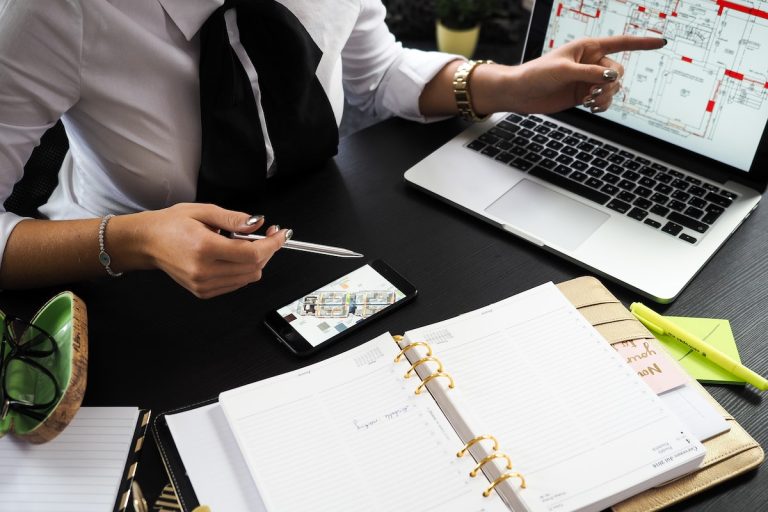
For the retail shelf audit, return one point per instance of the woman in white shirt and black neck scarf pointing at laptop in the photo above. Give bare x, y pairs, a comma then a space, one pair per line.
132, 79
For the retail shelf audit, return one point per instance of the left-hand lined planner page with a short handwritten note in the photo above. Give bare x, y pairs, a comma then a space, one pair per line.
350, 434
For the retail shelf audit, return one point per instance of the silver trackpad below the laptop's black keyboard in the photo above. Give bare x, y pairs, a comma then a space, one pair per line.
554, 219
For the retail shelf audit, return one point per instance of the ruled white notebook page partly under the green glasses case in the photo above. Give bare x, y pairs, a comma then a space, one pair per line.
78, 471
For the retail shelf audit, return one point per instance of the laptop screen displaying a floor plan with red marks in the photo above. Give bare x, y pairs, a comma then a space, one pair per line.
706, 91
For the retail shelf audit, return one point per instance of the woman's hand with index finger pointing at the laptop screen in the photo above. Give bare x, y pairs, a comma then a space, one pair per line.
576, 73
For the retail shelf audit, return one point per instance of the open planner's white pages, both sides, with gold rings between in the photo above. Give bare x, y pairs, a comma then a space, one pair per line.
520, 405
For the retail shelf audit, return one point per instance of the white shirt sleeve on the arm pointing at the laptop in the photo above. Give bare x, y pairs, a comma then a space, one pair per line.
380, 76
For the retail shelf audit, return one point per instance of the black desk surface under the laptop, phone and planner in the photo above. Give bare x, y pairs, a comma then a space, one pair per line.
153, 344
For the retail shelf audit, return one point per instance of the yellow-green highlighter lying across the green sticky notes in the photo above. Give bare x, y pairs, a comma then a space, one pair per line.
662, 327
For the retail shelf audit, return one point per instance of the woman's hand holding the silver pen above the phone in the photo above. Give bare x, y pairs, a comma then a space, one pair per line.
184, 241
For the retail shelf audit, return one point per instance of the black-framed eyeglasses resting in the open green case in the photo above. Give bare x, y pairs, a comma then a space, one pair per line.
27, 386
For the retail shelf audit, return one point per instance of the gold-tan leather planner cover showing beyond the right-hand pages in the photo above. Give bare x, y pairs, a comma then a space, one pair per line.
728, 454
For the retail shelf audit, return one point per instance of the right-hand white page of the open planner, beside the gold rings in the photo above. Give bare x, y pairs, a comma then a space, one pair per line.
577, 422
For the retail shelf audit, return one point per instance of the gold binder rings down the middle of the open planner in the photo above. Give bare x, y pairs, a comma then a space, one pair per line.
483, 458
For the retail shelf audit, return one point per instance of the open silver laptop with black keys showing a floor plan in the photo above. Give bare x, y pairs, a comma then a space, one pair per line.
645, 193
